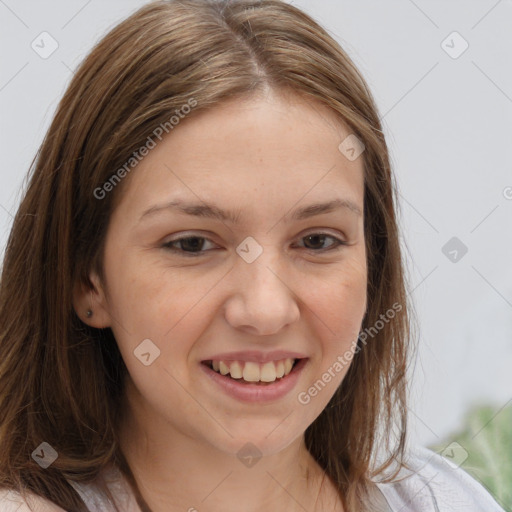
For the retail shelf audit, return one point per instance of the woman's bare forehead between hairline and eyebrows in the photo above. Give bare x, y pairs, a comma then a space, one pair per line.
269, 151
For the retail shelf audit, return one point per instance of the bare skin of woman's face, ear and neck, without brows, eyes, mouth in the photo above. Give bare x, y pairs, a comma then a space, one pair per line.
262, 157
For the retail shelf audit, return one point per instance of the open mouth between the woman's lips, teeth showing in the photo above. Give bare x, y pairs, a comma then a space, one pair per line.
261, 374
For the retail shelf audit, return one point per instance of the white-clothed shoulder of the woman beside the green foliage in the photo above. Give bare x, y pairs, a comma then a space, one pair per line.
436, 485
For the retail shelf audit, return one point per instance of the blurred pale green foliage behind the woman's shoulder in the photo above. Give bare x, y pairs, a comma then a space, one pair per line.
487, 438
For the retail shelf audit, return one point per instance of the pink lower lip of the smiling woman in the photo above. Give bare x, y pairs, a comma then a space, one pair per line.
256, 393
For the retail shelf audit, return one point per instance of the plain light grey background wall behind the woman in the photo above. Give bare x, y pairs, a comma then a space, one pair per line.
448, 124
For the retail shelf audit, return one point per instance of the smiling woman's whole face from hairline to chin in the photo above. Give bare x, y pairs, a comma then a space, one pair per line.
268, 282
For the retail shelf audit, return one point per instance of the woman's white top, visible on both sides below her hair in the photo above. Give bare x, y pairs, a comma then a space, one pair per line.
434, 486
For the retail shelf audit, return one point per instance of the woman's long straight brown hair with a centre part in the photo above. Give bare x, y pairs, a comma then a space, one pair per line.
61, 381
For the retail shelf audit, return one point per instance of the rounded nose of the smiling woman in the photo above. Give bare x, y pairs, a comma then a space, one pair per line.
263, 302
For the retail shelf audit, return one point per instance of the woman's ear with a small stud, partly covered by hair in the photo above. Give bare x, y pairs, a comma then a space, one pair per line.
86, 298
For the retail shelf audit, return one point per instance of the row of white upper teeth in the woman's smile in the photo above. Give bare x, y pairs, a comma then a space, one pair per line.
254, 372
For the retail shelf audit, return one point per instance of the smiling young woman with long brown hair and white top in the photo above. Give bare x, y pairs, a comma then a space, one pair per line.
202, 292
